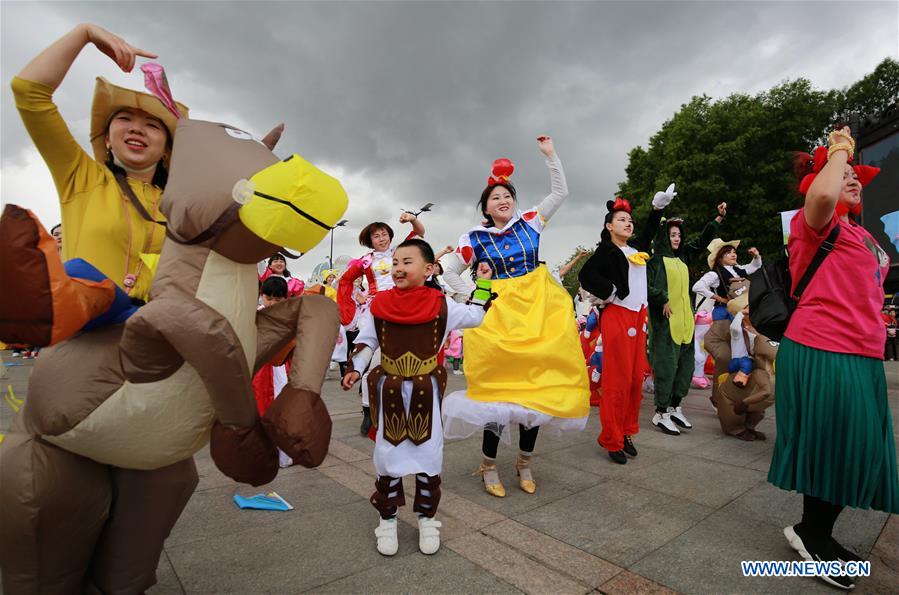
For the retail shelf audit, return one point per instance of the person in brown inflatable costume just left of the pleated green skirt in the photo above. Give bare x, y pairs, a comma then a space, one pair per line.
741, 408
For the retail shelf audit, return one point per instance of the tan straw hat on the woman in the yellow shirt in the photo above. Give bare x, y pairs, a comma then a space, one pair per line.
109, 99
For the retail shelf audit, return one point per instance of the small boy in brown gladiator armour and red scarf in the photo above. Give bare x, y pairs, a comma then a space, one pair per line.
409, 323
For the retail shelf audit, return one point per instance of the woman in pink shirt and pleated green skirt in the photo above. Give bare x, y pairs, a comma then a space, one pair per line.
834, 432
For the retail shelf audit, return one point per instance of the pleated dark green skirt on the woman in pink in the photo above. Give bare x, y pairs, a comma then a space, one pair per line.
834, 429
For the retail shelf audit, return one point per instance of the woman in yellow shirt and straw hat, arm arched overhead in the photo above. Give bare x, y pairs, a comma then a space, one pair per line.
131, 137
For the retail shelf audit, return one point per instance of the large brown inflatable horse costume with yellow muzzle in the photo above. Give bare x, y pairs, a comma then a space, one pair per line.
98, 465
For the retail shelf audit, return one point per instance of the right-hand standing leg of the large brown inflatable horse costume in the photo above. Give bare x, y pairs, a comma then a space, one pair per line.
145, 507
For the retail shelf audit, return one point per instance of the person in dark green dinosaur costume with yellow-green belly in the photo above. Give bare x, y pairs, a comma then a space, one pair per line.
671, 318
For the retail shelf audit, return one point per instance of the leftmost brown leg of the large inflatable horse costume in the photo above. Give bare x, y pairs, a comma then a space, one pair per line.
53, 505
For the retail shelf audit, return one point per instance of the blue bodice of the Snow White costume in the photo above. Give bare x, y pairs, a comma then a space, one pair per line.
511, 253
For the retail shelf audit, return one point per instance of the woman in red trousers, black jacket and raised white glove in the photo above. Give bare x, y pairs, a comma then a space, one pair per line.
616, 274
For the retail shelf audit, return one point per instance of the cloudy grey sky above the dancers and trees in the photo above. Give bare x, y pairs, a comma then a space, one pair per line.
410, 102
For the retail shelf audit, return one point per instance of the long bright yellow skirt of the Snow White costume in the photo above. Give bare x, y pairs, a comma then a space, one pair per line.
527, 352
